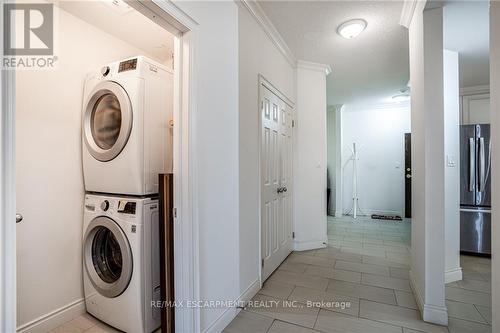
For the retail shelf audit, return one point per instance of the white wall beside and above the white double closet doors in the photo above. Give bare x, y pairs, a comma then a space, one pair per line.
257, 55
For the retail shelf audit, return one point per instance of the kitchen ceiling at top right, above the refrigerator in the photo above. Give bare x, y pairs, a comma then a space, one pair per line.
466, 25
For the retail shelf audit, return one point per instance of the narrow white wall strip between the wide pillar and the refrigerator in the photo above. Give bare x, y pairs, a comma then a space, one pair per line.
453, 271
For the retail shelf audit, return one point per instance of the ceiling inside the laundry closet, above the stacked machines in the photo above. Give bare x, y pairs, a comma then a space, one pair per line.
126, 24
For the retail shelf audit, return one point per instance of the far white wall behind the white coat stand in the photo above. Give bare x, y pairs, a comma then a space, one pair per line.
378, 132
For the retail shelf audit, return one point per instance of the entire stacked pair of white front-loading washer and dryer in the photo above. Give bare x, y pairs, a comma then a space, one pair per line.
126, 143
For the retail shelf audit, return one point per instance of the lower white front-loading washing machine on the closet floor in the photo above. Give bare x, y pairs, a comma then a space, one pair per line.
121, 261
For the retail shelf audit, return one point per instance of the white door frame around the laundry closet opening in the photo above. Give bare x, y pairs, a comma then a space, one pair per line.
186, 267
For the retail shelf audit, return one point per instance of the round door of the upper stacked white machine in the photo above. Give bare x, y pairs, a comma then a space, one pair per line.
107, 121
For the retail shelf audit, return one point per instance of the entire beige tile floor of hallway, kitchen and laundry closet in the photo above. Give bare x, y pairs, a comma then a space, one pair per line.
358, 284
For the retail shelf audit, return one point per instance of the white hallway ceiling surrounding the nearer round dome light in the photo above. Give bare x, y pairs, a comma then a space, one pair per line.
369, 69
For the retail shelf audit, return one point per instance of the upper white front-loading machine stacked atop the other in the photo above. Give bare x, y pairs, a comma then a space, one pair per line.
127, 133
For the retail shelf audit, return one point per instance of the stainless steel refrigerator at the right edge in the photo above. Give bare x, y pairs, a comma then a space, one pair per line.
475, 189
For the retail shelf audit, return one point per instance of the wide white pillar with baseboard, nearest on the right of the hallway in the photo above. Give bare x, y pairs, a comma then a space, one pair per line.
426, 75
